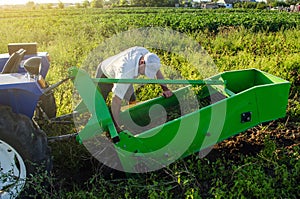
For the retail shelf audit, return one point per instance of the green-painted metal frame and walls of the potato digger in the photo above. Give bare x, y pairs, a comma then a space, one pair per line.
252, 97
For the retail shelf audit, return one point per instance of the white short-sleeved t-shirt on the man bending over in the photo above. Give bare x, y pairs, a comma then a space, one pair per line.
123, 66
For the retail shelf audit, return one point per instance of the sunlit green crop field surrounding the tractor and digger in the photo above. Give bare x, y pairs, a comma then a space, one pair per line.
262, 162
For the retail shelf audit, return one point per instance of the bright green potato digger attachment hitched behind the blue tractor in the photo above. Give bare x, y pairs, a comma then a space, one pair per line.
218, 107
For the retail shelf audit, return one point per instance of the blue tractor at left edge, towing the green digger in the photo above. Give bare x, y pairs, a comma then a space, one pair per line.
24, 95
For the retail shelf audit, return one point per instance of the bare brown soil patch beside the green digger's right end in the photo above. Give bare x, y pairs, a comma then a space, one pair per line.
252, 141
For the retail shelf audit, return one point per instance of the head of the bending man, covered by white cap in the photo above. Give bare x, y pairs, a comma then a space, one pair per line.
152, 63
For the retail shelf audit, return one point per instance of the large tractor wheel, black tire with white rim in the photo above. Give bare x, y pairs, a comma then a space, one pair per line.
23, 151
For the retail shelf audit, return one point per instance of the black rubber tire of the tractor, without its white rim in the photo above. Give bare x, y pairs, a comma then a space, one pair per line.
31, 143
